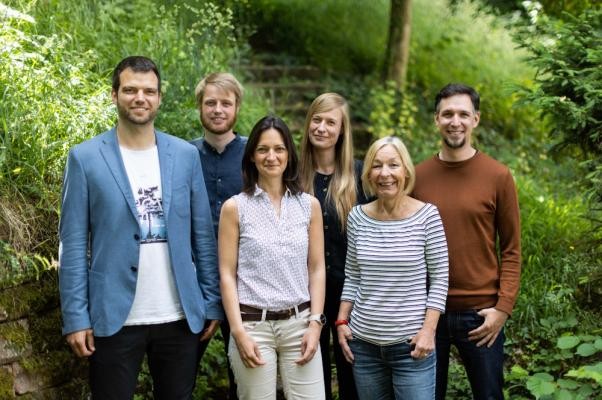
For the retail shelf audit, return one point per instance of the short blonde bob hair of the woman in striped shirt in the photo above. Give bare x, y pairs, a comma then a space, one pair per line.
406, 161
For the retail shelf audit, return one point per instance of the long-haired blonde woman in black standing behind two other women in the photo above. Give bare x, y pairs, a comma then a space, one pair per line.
330, 173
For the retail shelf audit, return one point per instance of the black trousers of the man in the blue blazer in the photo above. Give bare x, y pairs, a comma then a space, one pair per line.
173, 357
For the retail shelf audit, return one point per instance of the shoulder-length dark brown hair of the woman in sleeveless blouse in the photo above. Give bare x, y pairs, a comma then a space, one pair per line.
250, 175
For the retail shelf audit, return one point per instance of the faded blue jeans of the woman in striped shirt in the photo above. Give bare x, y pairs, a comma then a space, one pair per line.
389, 372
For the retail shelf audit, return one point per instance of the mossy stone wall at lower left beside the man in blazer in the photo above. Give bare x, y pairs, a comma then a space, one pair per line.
35, 361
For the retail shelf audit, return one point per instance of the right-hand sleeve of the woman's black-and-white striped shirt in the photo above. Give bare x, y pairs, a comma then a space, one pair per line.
436, 261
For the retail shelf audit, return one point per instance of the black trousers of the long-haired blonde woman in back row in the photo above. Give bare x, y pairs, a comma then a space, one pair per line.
347, 389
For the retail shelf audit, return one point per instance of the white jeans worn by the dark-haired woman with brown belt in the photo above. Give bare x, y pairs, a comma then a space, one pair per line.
280, 345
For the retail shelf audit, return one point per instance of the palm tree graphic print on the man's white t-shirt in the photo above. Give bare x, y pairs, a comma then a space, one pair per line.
150, 215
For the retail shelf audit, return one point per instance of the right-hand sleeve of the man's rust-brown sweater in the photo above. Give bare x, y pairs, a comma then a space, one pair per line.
508, 226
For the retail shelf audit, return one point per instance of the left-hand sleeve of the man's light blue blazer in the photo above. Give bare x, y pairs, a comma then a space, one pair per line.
73, 248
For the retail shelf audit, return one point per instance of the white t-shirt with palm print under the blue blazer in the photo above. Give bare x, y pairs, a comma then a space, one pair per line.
156, 300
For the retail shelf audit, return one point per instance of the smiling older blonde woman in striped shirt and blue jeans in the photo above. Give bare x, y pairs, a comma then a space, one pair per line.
396, 277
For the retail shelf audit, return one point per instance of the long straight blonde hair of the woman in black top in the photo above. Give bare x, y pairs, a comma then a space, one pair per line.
342, 186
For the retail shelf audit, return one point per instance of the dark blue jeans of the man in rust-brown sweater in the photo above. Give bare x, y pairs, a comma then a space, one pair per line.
484, 365
